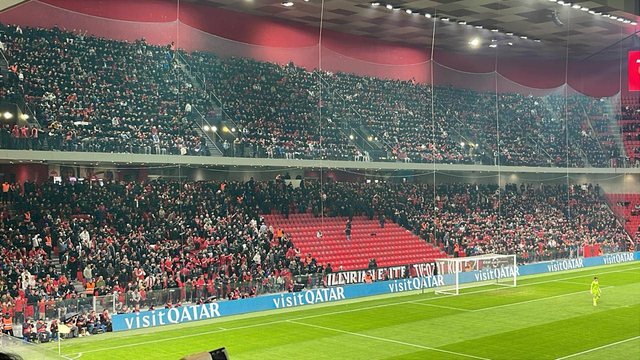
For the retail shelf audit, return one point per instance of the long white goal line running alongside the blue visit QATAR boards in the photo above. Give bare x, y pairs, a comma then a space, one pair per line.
335, 313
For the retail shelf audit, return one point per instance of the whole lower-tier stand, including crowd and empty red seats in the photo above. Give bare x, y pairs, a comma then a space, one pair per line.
208, 239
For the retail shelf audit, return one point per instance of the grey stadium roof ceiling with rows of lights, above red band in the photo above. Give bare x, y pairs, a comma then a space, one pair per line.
582, 22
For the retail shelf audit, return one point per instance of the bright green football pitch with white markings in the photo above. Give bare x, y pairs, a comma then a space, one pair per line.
544, 317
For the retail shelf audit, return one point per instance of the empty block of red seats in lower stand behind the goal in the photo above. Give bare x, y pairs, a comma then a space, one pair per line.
390, 246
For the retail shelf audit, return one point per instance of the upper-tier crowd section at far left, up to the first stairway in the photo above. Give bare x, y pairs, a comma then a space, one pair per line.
98, 95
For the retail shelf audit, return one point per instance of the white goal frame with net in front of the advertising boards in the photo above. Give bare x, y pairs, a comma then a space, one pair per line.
472, 271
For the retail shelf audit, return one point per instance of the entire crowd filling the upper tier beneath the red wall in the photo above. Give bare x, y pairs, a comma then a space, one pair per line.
95, 94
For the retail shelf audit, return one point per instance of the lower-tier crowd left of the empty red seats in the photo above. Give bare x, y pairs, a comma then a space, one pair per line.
63, 244
